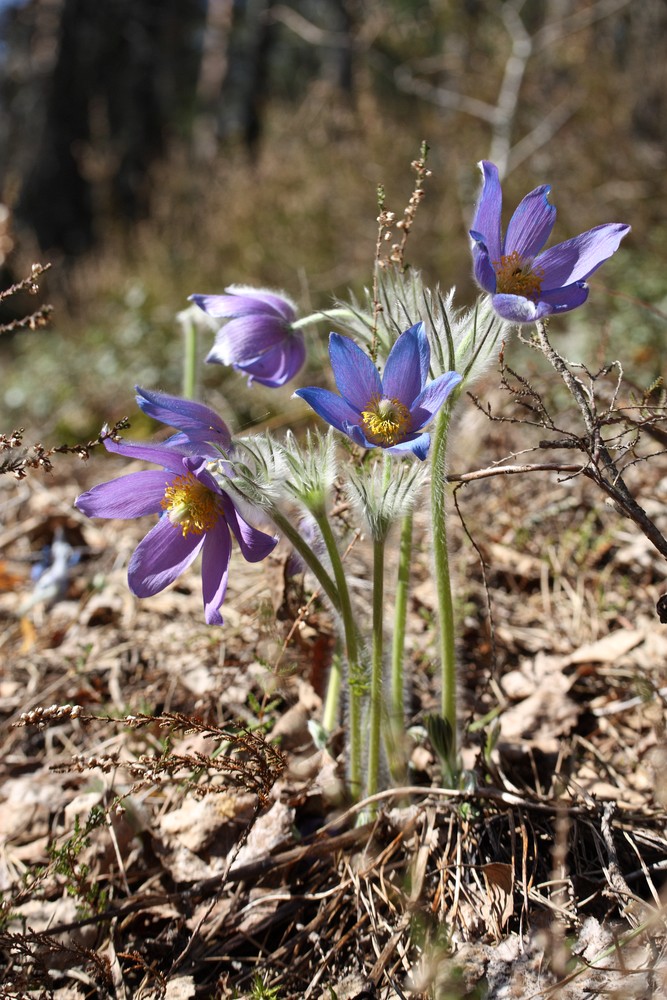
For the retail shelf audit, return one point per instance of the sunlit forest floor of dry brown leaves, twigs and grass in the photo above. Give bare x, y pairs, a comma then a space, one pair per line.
178, 834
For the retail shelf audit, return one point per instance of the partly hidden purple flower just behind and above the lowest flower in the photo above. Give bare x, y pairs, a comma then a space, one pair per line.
200, 429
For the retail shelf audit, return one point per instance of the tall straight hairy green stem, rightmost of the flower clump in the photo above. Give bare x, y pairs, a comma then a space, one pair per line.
439, 493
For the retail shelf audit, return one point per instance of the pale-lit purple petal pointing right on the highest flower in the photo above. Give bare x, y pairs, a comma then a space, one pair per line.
575, 259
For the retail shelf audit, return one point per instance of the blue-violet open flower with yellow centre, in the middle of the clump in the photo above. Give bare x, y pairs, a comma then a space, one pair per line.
388, 411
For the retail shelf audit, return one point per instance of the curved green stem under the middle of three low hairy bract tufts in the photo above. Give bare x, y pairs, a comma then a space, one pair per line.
355, 668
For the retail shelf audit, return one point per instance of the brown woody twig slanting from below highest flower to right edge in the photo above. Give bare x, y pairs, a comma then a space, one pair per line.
612, 483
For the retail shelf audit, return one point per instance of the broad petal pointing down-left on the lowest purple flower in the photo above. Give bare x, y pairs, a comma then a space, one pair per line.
160, 557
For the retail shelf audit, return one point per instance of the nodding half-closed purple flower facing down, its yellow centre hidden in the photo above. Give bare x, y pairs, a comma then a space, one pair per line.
259, 338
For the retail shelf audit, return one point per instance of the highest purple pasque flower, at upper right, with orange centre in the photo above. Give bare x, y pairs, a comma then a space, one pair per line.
526, 284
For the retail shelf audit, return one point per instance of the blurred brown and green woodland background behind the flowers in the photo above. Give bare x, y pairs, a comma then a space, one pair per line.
150, 149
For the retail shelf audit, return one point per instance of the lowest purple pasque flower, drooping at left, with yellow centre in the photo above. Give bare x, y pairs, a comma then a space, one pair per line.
197, 516
